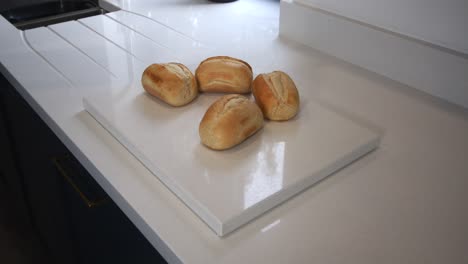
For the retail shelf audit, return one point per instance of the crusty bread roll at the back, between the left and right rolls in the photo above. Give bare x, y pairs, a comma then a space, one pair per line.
223, 74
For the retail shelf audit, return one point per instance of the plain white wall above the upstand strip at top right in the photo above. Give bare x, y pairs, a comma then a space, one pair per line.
441, 22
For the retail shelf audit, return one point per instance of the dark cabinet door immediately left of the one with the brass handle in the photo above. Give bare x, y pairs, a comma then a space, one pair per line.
35, 145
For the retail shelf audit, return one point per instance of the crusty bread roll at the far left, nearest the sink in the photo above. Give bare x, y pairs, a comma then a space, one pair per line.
171, 82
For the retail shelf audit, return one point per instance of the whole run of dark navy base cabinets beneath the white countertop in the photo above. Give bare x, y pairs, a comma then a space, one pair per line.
75, 219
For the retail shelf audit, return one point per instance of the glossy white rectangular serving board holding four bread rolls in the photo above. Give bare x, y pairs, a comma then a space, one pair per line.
228, 188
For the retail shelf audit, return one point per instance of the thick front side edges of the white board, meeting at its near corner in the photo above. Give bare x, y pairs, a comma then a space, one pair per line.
224, 228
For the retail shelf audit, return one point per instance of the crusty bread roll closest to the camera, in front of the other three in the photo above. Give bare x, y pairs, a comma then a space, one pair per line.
229, 121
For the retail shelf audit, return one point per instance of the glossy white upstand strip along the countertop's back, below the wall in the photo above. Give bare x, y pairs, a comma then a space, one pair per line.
425, 67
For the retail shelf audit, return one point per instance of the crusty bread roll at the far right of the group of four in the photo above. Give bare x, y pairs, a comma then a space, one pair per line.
277, 95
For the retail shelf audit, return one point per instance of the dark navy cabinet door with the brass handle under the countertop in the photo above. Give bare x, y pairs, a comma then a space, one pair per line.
102, 231
